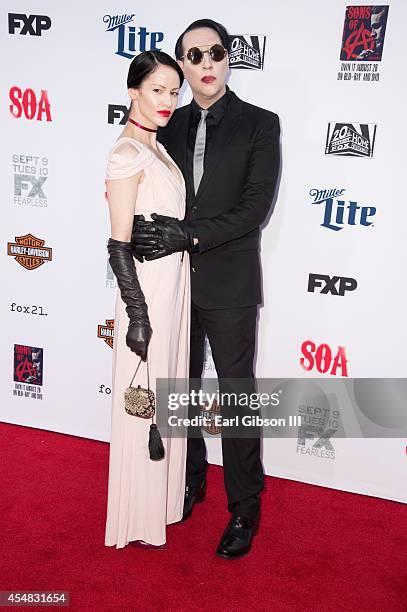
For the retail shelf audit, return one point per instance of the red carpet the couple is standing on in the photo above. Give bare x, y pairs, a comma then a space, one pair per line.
317, 549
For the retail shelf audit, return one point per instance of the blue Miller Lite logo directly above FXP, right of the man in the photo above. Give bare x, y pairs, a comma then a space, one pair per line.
339, 212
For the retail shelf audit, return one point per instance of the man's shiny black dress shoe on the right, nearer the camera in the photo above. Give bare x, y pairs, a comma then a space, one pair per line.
237, 537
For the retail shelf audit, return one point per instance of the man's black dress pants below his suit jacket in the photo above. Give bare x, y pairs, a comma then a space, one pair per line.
232, 337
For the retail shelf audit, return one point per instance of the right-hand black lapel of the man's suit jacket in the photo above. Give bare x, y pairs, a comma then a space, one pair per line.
222, 136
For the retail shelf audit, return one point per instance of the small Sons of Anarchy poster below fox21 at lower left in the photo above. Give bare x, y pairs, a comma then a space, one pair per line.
28, 371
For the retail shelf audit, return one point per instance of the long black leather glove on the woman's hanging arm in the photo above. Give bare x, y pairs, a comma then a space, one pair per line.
122, 263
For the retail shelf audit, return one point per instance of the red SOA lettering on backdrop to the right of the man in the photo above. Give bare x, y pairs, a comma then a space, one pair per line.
322, 358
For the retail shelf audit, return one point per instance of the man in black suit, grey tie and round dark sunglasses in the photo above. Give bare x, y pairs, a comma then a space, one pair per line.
228, 151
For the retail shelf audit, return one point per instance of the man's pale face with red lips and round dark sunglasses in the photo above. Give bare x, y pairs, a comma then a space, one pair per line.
206, 79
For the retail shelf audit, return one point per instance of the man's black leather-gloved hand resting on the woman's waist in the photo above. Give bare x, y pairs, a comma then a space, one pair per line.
164, 236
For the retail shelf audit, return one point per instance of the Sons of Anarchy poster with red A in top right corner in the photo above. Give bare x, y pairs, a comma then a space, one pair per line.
362, 42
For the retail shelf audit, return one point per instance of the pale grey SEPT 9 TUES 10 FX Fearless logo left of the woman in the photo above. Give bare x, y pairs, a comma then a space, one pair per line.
30, 174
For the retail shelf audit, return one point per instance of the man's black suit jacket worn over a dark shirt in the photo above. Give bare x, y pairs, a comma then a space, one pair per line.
233, 200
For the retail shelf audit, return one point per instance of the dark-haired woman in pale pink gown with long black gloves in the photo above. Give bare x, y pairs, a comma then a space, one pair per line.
152, 309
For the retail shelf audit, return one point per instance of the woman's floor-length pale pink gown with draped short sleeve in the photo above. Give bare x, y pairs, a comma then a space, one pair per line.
144, 495
